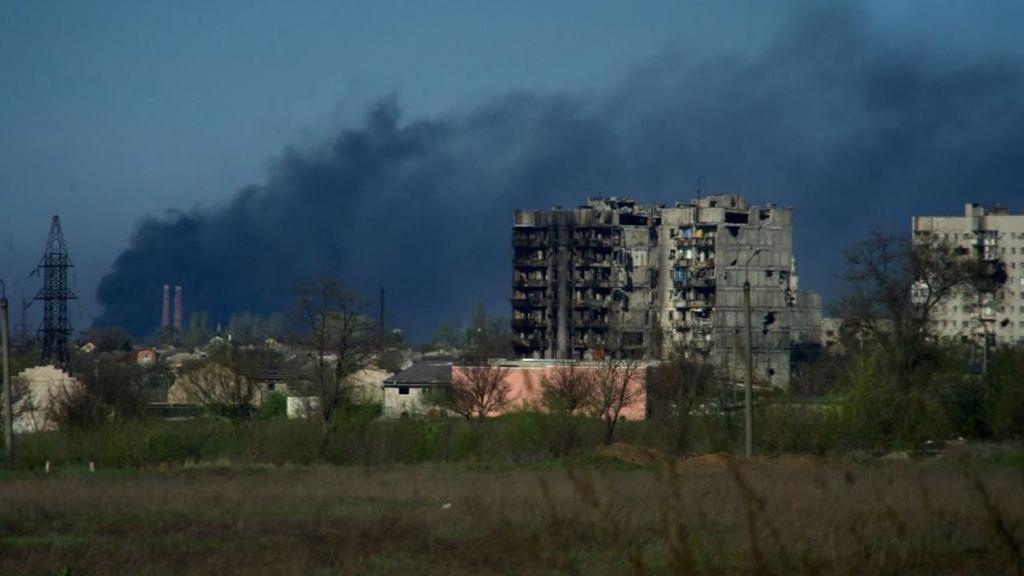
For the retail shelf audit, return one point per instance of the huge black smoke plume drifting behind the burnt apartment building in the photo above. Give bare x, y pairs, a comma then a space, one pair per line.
851, 131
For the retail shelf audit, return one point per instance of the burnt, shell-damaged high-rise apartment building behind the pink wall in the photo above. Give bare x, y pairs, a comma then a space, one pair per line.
616, 277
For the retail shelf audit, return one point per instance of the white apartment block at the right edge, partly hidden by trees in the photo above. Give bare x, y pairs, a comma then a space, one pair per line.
995, 236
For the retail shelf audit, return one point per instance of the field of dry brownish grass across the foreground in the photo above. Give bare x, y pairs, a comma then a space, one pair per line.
713, 517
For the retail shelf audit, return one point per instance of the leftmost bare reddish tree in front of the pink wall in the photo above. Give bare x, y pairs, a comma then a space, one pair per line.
480, 387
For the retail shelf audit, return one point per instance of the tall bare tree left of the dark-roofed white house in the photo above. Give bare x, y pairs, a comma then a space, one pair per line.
342, 339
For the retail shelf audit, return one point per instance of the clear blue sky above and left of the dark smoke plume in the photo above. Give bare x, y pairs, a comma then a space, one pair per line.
114, 111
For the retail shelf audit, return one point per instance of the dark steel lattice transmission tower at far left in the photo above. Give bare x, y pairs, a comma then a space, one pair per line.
55, 296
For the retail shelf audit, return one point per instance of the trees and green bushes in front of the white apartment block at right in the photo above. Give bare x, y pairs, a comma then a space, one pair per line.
897, 380
